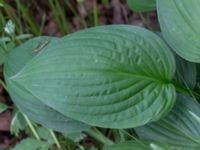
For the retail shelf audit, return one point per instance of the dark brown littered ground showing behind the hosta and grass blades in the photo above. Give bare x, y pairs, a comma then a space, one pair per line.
109, 12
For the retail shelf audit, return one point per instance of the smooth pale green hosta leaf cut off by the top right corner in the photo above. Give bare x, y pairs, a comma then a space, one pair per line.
179, 21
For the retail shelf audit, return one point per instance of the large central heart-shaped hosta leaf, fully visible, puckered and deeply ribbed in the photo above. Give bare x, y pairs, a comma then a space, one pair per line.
111, 76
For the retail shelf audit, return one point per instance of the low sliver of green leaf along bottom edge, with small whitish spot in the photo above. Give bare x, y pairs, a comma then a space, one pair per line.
138, 145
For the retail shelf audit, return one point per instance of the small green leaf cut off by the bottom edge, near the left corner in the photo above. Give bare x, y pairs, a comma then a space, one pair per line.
31, 144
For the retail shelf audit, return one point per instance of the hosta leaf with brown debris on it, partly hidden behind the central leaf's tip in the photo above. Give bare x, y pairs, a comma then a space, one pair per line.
25, 100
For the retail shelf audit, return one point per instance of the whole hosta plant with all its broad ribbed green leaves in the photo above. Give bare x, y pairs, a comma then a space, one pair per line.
118, 77
